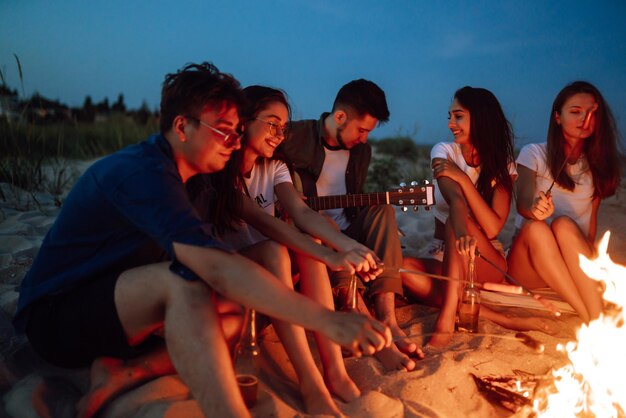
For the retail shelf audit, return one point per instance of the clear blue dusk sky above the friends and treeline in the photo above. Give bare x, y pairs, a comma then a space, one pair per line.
418, 51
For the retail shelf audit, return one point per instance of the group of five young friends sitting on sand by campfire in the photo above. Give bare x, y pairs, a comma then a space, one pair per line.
159, 246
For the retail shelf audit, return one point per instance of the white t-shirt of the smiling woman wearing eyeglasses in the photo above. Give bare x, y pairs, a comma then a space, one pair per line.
265, 175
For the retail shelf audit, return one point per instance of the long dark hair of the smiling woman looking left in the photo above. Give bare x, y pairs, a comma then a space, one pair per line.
492, 136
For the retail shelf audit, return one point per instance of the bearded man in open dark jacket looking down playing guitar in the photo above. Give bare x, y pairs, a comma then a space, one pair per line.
331, 156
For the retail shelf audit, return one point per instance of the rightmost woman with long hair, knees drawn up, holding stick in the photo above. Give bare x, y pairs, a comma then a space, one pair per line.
561, 183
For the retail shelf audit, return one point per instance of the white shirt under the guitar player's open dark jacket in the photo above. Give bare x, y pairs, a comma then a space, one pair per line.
332, 182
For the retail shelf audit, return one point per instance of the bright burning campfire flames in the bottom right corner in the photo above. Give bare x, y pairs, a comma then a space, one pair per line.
592, 384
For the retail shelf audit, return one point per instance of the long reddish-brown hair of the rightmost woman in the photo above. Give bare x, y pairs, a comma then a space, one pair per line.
601, 148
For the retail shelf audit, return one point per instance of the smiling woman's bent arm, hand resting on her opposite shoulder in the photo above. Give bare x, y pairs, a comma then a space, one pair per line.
490, 218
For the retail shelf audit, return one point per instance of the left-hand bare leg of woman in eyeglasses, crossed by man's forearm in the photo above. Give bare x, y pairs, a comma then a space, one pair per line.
316, 397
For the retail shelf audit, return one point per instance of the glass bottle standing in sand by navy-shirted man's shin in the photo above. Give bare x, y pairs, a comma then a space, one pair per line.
246, 360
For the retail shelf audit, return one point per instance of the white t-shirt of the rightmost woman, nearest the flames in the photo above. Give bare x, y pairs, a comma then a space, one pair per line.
576, 203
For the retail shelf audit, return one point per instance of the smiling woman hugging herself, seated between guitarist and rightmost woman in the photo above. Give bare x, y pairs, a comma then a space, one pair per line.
474, 176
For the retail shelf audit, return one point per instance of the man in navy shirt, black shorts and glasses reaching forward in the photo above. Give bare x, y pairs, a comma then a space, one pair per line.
129, 264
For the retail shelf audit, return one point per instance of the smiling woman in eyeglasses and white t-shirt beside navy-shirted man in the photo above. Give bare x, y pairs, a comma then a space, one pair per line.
267, 181
